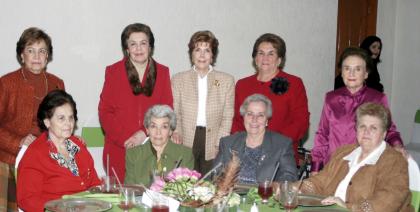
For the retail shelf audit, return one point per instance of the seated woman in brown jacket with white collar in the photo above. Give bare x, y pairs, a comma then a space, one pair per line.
368, 176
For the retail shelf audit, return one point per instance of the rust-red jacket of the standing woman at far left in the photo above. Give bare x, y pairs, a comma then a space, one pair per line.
17, 111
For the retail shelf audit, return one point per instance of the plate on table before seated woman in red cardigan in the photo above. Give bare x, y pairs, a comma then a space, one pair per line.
79, 205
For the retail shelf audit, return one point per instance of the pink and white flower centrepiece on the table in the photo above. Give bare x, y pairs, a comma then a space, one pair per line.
185, 185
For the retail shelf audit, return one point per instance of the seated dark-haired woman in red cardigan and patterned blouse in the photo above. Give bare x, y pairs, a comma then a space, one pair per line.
56, 163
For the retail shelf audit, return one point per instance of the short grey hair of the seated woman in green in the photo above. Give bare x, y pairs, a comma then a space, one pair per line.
160, 111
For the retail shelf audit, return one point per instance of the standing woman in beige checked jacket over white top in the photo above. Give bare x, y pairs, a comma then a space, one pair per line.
203, 101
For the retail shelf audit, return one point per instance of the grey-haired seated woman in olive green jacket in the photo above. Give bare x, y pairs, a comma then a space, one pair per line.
160, 155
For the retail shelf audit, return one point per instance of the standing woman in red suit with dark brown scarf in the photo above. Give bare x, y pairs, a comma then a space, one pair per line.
131, 86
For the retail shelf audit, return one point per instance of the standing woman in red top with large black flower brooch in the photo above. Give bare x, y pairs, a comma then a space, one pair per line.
286, 91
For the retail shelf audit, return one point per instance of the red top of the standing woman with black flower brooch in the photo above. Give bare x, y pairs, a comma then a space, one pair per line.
290, 110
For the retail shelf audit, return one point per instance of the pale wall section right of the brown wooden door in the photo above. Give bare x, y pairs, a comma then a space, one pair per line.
399, 28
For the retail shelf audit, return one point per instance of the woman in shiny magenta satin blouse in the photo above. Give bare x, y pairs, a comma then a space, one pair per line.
337, 124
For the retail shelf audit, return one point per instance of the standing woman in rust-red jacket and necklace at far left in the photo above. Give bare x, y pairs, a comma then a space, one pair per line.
21, 92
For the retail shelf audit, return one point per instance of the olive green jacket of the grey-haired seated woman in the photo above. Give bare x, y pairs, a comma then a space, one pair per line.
140, 161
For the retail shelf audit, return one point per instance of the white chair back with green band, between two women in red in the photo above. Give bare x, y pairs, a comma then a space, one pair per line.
94, 138
